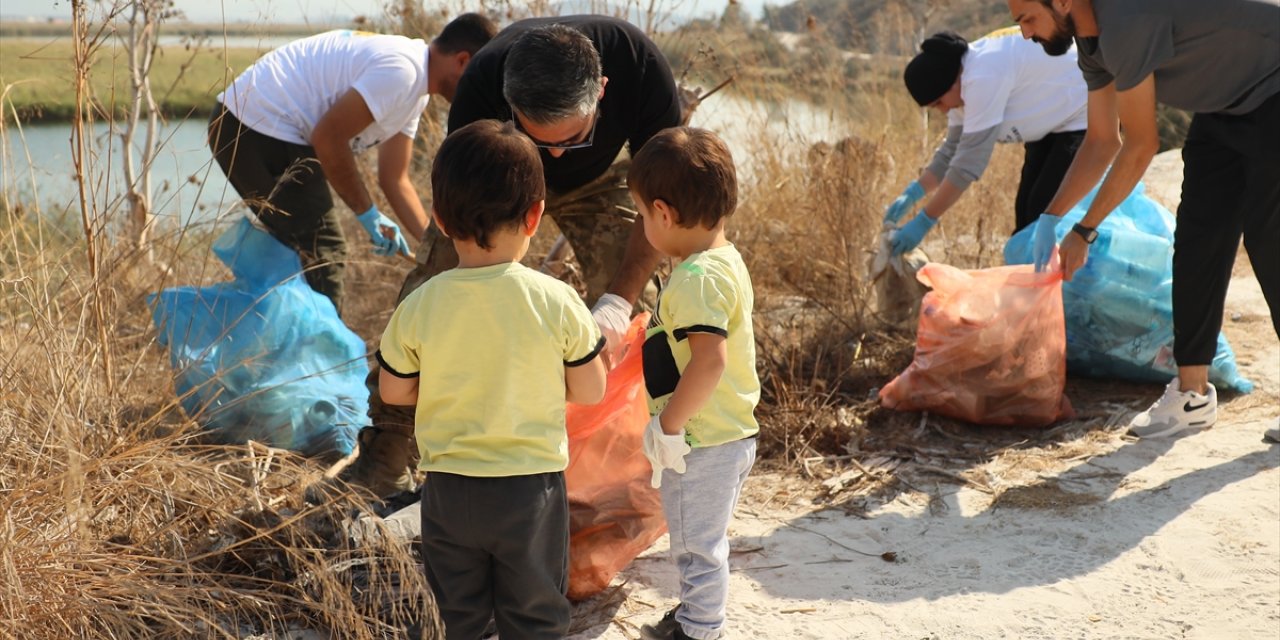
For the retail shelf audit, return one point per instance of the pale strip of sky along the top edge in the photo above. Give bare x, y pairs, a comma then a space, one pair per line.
308, 11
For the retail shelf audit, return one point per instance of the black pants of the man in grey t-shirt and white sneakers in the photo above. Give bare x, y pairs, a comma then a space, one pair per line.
1231, 188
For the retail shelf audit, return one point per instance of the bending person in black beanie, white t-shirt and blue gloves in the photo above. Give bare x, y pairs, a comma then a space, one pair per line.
998, 89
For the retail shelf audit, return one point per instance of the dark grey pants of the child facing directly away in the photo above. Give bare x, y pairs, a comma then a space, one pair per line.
499, 547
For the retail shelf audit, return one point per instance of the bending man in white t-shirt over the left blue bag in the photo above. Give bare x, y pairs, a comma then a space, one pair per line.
291, 126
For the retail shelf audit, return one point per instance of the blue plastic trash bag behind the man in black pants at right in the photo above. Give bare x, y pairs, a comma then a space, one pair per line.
1119, 307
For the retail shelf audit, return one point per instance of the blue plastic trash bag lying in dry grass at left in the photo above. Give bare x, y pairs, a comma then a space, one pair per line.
264, 356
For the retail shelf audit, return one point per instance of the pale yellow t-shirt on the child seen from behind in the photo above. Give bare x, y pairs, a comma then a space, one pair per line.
490, 348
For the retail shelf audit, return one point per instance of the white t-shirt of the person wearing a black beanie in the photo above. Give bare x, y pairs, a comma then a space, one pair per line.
1012, 84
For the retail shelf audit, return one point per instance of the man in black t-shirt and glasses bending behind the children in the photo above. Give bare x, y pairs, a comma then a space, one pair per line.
582, 88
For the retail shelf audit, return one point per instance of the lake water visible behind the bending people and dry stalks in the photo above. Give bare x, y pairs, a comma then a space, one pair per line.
36, 162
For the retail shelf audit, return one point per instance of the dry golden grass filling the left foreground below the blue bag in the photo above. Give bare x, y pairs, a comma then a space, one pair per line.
117, 523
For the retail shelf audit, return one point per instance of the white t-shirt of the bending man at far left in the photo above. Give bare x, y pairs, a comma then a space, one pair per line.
287, 92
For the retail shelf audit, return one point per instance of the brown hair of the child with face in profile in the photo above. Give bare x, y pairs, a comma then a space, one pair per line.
691, 170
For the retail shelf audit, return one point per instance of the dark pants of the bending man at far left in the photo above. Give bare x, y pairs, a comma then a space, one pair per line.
284, 185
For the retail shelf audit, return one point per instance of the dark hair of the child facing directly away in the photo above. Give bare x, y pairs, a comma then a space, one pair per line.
486, 177
